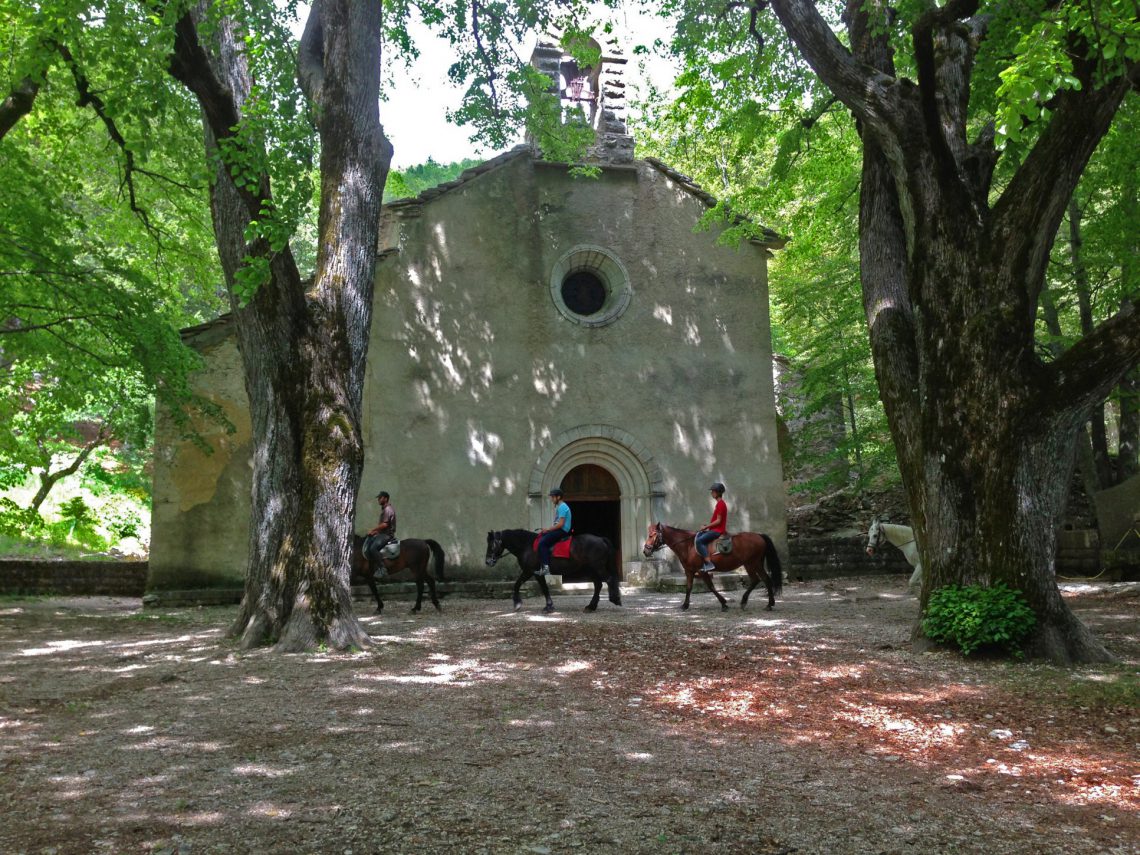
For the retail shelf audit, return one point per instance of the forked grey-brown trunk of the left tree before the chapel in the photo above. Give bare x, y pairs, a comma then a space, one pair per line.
303, 353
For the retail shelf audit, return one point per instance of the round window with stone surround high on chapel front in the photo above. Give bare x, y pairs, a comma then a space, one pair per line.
591, 287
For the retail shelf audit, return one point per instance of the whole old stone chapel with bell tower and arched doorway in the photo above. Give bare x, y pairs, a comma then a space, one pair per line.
532, 329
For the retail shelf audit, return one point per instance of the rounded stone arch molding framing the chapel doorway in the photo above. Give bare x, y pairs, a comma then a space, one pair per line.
639, 477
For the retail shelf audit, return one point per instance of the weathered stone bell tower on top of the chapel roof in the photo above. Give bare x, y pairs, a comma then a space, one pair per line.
597, 93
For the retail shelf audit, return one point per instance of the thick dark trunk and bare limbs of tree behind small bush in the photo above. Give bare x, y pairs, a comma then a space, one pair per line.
986, 430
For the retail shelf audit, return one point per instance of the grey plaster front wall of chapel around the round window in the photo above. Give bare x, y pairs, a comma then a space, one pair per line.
476, 379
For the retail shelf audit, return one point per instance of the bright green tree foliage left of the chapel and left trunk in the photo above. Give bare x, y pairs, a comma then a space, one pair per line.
103, 241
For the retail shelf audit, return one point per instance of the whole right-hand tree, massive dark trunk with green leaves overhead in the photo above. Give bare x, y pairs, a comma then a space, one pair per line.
954, 263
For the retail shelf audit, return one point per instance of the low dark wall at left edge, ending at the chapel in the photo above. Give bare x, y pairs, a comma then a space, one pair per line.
93, 579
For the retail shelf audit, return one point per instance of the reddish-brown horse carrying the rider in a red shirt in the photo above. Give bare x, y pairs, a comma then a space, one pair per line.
750, 551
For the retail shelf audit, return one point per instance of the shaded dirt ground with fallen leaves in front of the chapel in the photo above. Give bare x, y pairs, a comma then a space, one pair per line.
640, 730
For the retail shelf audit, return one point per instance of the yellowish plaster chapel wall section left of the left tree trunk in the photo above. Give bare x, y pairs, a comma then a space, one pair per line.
201, 515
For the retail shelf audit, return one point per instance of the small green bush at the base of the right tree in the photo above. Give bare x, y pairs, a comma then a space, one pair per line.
973, 618
